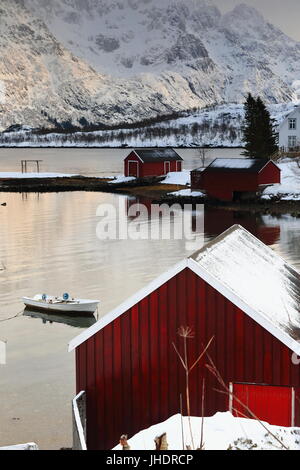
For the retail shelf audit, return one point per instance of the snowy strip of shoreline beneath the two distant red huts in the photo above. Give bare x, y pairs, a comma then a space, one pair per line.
287, 192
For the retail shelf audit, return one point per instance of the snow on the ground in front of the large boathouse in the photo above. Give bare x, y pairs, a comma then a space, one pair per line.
221, 432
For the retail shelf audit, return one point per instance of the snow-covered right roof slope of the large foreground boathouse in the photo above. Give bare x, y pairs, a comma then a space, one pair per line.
255, 274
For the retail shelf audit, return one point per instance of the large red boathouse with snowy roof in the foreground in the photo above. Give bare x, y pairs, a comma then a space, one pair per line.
235, 289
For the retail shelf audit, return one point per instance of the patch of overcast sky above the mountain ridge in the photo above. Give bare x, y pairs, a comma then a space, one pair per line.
282, 13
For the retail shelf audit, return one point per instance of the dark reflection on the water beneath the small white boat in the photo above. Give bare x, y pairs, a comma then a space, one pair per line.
77, 321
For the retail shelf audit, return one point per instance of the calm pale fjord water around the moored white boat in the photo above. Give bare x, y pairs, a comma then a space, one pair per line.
48, 243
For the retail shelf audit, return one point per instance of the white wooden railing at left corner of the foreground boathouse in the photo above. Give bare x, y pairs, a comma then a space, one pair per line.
79, 421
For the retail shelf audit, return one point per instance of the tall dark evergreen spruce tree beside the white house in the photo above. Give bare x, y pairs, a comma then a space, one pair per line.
258, 132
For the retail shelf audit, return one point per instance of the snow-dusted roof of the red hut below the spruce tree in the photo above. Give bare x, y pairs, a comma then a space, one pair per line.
253, 165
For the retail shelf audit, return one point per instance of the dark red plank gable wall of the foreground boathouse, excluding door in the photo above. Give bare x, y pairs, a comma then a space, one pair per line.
131, 373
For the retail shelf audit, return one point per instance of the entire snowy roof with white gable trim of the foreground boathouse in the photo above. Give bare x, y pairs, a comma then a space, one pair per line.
248, 273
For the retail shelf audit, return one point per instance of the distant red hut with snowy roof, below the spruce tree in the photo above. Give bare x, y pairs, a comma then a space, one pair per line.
230, 179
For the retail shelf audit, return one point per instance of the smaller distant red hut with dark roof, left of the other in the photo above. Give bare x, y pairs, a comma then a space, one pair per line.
143, 162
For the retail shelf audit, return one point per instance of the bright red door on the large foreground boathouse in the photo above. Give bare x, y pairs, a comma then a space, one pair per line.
269, 403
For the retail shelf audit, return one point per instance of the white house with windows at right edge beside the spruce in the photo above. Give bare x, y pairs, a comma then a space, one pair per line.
289, 131
